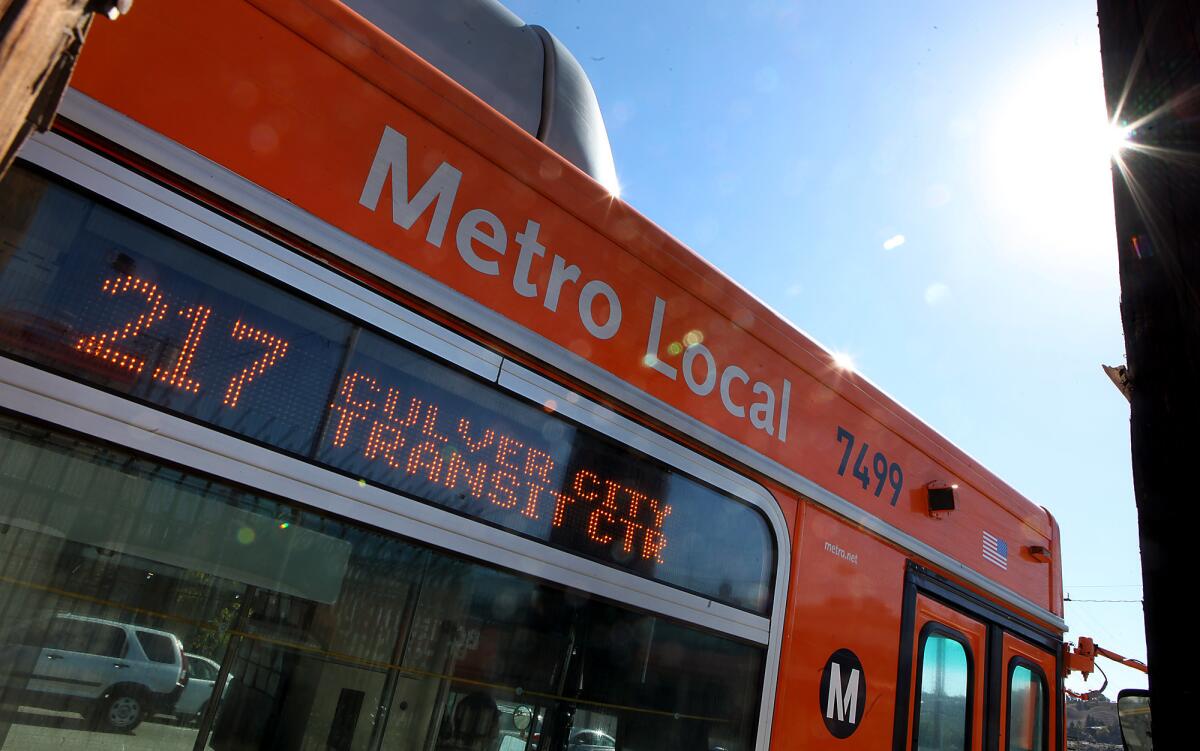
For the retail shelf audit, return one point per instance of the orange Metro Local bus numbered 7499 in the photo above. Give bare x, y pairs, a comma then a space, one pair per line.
341, 412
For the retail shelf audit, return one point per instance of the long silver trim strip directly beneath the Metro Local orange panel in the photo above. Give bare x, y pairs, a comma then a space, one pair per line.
212, 177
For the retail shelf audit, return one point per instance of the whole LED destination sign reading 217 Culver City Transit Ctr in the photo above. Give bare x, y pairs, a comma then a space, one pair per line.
103, 297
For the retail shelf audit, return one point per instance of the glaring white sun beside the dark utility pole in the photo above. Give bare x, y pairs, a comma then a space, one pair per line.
1048, 152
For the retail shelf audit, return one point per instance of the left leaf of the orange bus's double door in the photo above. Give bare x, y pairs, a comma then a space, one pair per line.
947, 681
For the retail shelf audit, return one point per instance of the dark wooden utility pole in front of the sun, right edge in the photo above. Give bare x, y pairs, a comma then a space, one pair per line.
1151, 64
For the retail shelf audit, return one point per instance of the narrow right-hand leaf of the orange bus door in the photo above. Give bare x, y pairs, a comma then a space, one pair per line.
1027, 722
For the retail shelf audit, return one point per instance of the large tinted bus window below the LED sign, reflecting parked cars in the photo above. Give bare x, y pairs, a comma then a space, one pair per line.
333, 630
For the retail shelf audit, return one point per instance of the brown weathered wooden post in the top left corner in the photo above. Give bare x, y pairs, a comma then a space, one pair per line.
40, 41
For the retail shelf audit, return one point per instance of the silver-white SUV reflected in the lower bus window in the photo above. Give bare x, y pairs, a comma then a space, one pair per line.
111, 672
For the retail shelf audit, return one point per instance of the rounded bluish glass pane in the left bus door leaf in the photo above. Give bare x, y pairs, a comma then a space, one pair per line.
944, 705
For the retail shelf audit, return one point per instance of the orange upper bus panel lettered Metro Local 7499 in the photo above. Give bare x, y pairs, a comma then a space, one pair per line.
242, 85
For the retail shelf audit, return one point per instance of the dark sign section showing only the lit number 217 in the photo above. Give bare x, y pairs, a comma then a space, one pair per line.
140, 311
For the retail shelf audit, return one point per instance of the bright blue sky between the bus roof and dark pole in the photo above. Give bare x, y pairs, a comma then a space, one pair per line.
925, 188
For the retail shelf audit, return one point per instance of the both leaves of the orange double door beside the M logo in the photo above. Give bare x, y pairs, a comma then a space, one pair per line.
976, 682
